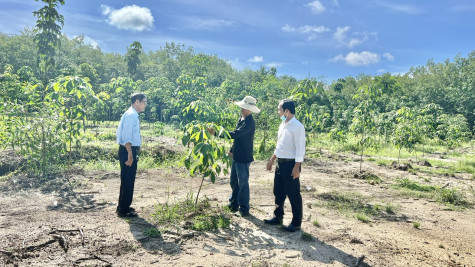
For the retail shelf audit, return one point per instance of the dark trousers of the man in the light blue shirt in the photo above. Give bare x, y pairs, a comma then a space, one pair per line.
127, 178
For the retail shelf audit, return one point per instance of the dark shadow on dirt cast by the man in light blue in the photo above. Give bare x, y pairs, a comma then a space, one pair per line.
151, 238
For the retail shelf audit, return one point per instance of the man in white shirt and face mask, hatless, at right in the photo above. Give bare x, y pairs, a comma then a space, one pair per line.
289, 152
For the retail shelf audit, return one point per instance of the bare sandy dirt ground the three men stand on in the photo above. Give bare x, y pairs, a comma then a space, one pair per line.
35, 218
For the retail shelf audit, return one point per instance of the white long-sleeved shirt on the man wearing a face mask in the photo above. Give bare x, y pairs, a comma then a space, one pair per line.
291, 141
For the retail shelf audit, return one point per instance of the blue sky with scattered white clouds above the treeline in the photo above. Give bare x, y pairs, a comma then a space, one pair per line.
324, 38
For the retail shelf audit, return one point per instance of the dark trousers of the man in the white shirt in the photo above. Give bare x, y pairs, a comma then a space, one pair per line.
286, 186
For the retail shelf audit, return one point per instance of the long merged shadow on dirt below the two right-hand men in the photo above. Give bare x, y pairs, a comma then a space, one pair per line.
291, 243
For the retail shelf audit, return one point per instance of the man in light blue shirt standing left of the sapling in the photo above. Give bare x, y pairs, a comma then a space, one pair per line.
129, 140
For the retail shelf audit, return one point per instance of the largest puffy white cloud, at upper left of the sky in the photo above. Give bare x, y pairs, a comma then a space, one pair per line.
132, 17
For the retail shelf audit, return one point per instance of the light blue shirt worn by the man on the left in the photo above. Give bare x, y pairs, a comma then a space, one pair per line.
129, 128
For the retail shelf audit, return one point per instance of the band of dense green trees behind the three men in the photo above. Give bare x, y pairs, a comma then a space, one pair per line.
52, 86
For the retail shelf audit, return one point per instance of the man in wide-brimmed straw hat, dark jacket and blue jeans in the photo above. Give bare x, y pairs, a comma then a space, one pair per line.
242, 154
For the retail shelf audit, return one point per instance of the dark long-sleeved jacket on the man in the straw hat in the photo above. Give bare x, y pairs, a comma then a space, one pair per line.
243, 136
